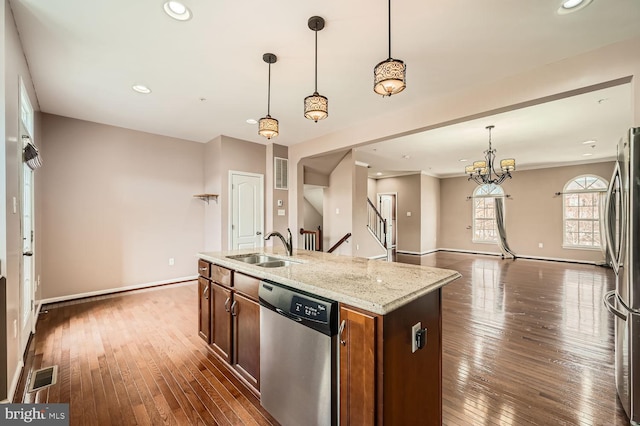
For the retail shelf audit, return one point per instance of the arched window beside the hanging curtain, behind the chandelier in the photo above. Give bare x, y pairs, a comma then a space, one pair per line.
484, 213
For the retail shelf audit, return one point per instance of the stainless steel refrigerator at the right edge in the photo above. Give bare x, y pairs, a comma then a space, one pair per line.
622, 233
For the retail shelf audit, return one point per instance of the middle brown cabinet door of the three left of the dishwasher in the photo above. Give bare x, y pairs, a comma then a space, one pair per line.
221, 321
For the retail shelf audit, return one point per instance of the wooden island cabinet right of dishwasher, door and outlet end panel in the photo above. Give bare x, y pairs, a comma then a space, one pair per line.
382, 381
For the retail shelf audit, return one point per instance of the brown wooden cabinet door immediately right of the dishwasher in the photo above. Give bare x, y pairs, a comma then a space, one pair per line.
357, 368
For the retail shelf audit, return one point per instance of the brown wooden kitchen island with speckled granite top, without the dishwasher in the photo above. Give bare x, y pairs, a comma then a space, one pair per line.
383, 378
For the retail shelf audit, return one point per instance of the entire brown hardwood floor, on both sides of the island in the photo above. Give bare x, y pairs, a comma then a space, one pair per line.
524, 343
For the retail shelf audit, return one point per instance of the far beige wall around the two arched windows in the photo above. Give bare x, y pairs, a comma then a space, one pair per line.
533, 214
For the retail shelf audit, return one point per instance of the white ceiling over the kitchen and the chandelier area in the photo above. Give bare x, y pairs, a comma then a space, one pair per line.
84, 57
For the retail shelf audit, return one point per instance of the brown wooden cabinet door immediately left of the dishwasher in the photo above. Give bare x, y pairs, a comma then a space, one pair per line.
246, 326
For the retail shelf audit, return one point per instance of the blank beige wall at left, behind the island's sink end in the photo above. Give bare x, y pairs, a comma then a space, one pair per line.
119, 203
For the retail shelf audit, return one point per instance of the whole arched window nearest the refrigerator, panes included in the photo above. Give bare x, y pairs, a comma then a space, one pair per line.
583, 199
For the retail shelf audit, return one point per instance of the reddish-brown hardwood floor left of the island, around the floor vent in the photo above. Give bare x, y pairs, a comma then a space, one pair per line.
136, 358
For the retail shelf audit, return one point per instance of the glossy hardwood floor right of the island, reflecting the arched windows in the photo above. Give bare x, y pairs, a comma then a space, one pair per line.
526, 343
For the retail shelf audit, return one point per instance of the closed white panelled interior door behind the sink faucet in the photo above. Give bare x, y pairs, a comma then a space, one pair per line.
247, 207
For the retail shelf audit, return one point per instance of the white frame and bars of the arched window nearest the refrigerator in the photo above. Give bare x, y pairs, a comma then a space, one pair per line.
566, 192
